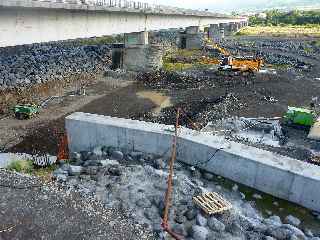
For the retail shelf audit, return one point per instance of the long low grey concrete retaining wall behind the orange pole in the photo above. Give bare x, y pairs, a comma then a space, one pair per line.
271, 173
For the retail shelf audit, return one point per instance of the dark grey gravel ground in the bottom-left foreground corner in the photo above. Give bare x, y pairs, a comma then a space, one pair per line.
31, 209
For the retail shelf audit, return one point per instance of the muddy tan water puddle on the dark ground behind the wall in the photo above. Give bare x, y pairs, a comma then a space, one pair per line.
162, 101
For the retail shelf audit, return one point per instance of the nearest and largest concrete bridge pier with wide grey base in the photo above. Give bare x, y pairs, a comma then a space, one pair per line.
138, 55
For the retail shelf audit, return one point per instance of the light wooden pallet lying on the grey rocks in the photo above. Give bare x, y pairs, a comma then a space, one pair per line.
212, 203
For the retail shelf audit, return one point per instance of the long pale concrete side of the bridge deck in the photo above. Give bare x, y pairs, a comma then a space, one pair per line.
25, 22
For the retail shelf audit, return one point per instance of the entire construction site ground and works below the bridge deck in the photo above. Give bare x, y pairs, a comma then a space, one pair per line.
195, 133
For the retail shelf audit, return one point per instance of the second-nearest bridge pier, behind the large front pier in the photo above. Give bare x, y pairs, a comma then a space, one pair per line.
191, 38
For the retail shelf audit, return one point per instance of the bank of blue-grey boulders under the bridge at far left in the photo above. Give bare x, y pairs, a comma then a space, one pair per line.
38, 63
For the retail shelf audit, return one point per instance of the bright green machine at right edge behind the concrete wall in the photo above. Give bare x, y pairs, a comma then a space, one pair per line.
300, 117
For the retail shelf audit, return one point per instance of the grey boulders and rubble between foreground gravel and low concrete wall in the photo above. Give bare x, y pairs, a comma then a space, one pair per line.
135, 183
